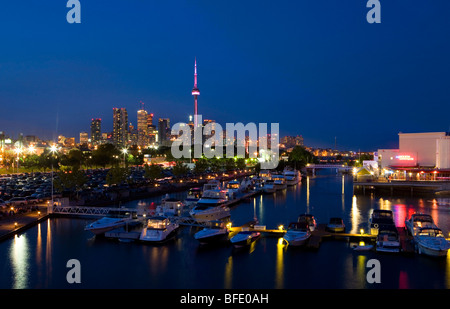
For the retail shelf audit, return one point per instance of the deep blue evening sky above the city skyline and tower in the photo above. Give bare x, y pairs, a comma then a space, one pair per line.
316, 67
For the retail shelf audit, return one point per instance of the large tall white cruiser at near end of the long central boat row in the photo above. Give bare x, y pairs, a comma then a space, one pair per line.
211, 206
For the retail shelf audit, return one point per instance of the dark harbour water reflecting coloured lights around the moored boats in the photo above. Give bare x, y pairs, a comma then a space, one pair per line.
38, 257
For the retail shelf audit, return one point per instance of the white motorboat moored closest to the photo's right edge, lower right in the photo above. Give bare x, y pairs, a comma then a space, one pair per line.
431, 241
